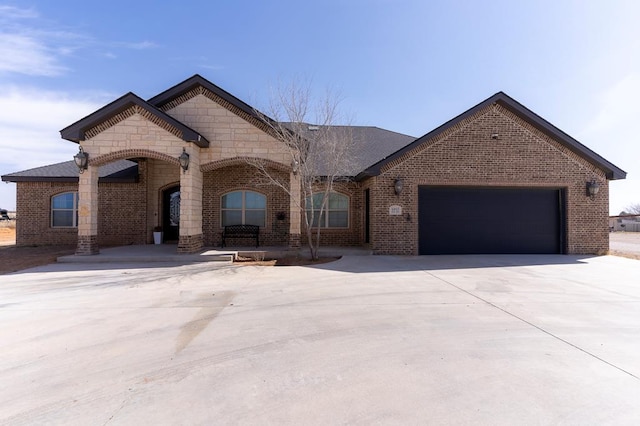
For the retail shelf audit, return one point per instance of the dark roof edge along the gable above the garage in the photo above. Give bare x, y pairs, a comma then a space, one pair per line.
501, 98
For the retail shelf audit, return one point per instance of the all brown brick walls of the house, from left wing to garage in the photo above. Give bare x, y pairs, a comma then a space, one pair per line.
463, 155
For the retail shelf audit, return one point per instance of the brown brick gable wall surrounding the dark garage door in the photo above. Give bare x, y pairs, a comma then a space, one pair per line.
467, 156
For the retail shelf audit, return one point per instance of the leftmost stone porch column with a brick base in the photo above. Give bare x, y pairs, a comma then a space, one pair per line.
88, 212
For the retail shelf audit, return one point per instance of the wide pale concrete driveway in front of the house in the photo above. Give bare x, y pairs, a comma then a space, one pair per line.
364, 340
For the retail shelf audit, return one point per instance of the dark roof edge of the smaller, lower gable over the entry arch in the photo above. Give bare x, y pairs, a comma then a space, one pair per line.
76, 131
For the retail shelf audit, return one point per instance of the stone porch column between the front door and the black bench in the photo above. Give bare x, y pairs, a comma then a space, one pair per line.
191, 239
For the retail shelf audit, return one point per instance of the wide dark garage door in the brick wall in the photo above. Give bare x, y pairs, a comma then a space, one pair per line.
456, 220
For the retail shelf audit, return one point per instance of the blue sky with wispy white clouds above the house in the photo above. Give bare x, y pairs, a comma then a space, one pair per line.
407, 66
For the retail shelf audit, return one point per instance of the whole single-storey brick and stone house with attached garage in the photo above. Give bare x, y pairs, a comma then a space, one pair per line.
496, 179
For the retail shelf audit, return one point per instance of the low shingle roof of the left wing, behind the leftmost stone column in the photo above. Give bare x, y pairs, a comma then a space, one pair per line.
122, 171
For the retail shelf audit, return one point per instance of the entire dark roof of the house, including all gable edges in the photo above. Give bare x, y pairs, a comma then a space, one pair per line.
375, 147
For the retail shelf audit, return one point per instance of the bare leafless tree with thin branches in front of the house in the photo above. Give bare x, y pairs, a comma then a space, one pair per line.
321, 152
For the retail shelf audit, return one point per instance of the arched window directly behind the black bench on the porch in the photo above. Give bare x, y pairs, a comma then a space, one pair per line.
243, 208
